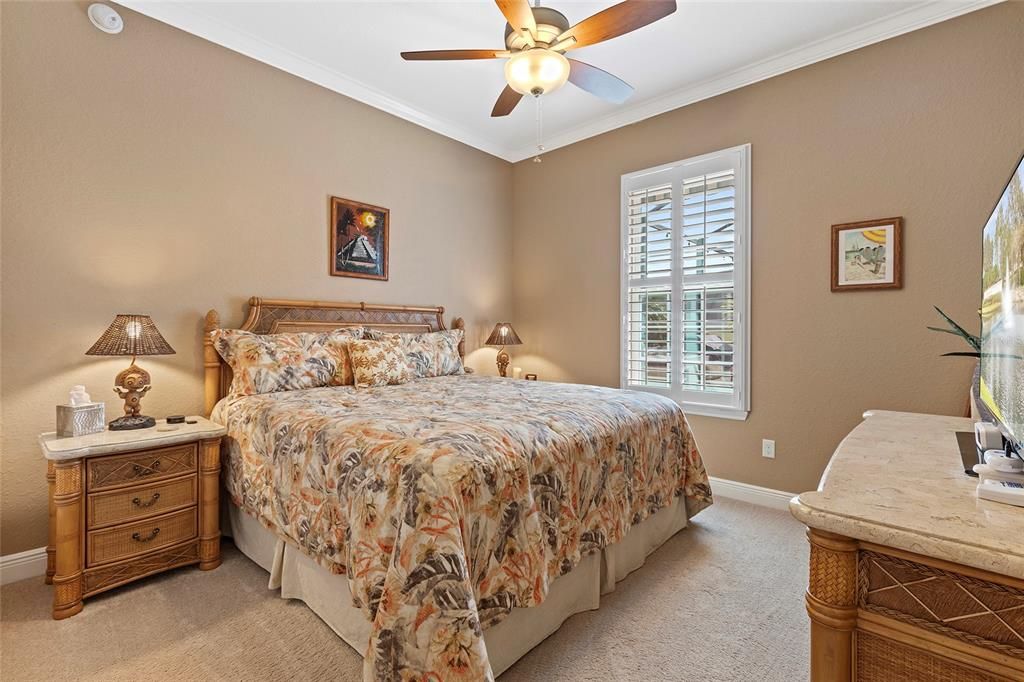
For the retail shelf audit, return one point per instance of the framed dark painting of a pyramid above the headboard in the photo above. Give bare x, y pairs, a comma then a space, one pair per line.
359, 240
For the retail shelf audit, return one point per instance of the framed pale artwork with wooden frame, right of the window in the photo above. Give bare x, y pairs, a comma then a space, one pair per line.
868, 255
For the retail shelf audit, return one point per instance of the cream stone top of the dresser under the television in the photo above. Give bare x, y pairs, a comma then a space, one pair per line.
899, 481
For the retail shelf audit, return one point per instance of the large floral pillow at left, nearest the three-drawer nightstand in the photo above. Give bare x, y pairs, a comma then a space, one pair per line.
271, 363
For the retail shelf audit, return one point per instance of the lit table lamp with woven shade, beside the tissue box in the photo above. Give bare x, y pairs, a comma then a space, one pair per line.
132, 335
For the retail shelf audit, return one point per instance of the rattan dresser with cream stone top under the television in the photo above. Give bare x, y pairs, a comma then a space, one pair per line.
912, 577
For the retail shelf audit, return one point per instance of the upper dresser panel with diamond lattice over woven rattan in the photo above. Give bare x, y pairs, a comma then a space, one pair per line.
972, 611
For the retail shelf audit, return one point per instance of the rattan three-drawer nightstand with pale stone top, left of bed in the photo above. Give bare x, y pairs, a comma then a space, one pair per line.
129, 504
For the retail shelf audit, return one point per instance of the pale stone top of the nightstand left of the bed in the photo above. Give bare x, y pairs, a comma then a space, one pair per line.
110, 443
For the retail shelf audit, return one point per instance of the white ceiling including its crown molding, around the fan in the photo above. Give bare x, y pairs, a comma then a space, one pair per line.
704, 50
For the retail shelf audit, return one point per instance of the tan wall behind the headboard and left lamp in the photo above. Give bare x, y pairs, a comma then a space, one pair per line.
155, 173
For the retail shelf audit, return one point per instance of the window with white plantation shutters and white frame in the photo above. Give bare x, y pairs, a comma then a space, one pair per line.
686, 274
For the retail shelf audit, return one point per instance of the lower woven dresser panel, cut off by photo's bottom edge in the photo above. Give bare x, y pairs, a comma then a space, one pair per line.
881, 660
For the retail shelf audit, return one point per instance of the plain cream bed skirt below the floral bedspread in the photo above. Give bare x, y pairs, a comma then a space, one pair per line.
328, 595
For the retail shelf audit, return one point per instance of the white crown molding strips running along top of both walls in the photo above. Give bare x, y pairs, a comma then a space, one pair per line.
189, 20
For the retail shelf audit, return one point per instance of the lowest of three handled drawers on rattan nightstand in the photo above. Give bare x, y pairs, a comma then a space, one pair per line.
122, 542
